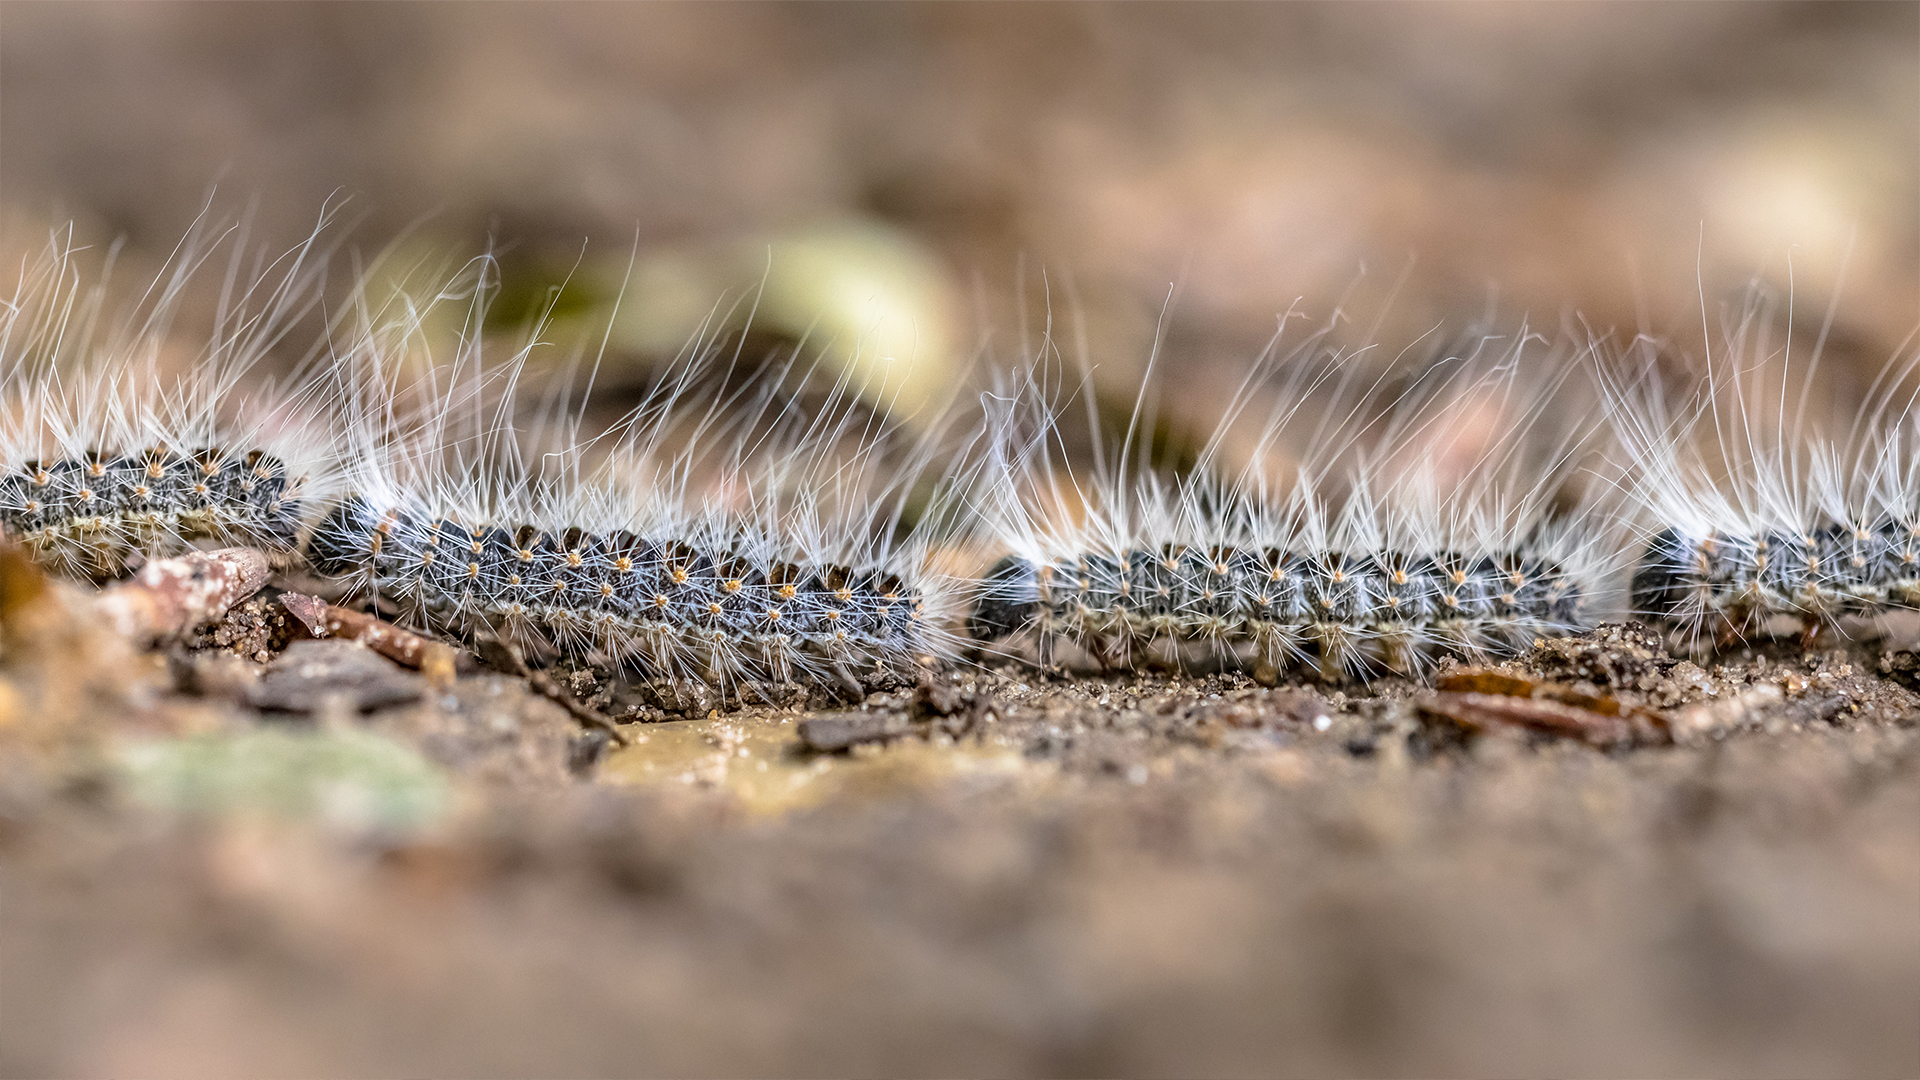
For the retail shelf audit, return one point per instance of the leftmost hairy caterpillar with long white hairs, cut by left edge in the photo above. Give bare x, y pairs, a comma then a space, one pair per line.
116, 447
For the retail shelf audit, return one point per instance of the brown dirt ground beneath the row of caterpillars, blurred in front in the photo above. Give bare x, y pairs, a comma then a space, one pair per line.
994, 873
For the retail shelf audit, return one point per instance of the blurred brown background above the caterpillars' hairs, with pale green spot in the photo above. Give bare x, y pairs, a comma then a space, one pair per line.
932, 182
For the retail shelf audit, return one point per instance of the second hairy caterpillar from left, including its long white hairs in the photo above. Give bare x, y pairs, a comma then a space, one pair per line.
723, 533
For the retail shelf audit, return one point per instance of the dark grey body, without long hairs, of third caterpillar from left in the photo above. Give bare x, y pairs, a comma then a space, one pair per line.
1278, 612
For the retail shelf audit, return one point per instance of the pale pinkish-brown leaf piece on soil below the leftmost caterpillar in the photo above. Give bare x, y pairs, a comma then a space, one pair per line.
172, 597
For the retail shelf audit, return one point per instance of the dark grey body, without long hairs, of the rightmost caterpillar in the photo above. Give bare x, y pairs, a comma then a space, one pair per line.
1725, 585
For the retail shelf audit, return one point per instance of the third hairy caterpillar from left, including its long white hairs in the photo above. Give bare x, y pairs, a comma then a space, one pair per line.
1374, 528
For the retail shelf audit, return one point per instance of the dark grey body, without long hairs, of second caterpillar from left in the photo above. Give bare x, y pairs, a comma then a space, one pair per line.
658, 604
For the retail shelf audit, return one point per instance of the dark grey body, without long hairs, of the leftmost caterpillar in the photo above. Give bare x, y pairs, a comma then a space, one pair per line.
91, 516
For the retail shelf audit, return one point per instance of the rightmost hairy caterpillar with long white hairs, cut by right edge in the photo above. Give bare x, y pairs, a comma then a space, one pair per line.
1750, 512
